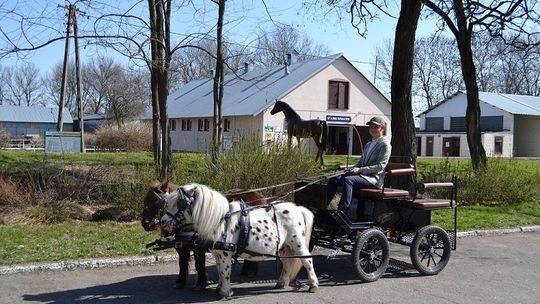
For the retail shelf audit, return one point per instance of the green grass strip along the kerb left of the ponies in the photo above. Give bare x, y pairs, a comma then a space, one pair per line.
57, 242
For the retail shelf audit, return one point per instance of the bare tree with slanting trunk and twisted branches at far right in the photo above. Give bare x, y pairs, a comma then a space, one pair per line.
514, 21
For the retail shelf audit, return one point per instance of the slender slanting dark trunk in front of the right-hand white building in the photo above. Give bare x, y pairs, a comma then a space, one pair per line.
472, 117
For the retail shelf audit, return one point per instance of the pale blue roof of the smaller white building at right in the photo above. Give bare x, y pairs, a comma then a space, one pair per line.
511, 103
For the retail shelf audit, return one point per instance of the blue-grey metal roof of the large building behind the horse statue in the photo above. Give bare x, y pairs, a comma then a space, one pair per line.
246, 94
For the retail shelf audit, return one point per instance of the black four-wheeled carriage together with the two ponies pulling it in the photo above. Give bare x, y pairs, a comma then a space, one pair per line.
290, 232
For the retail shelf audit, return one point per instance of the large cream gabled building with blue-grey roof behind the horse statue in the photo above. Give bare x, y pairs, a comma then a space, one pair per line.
326, 88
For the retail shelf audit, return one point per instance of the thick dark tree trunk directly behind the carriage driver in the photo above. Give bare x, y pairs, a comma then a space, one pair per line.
403, 130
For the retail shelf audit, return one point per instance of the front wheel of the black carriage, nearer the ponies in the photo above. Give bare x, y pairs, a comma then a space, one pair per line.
370, 255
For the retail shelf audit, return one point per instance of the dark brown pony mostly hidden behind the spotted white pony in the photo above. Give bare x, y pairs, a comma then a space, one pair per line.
152, 212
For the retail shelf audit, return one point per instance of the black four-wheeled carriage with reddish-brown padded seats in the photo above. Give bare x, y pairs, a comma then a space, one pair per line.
401, 216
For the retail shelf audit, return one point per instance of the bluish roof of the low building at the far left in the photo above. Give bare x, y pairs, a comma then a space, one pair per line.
32, 114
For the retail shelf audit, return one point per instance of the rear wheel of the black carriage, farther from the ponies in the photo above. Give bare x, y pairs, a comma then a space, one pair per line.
430, 250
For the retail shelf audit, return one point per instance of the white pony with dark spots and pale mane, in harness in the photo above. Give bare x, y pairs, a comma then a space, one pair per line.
280, 228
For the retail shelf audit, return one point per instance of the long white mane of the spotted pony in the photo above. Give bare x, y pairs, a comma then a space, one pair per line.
209, 208
